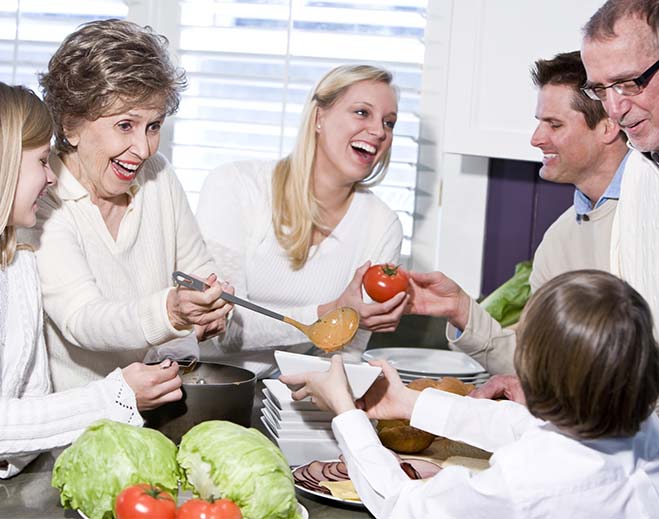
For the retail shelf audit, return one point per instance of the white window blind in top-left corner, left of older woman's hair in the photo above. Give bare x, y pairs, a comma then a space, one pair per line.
31, 31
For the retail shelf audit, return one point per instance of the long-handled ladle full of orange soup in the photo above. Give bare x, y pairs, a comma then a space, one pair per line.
331, 332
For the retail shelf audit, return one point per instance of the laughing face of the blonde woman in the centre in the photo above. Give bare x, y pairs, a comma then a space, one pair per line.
356, 131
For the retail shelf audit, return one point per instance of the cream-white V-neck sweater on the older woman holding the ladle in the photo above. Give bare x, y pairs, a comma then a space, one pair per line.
106, 299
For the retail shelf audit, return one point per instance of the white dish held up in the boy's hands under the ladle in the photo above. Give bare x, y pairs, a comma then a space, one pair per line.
360, 376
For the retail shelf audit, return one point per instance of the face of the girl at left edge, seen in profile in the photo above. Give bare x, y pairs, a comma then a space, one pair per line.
34, 177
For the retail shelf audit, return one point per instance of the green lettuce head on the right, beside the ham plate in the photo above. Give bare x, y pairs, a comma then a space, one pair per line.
222, 459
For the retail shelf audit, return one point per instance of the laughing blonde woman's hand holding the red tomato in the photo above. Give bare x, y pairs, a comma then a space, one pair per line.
375, 317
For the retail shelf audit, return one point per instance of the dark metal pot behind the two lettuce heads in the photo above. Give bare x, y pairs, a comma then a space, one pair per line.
211, 391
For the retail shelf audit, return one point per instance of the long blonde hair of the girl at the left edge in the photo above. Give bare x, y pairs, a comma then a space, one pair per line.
25, 123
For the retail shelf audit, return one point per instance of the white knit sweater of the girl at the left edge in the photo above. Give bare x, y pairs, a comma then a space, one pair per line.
31, 420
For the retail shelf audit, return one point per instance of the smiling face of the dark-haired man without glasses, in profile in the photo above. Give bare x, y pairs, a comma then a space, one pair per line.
570, 148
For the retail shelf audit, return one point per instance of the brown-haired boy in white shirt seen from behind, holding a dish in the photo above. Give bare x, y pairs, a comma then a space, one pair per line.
587, 446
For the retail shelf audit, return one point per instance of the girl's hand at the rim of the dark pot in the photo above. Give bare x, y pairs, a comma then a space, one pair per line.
153, 385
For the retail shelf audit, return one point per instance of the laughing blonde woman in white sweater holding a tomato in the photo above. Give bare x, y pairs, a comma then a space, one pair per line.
299, 233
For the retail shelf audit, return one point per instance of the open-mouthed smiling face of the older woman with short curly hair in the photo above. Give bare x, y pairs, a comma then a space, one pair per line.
111, 149
